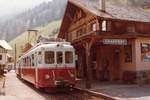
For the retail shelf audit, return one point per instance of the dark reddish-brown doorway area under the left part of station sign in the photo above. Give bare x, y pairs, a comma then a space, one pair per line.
109, 63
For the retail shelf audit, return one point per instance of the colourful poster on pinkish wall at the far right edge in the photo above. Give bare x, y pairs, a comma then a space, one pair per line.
145, 52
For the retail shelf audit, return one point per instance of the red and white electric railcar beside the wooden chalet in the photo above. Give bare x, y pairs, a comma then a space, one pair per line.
48, 65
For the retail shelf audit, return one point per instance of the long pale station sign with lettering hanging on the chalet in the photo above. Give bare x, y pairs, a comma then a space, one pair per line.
115, 41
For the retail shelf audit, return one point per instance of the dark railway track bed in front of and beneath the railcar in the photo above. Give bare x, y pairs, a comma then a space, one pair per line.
74, 94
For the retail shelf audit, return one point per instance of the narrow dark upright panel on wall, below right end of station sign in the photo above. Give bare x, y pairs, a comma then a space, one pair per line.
128, 53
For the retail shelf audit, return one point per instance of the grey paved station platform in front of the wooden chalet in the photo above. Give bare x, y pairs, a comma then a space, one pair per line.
117, 91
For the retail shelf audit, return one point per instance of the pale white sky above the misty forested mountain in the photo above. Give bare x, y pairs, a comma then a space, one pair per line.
8, 7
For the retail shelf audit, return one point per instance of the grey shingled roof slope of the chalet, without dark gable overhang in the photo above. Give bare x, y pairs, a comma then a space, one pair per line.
114, 11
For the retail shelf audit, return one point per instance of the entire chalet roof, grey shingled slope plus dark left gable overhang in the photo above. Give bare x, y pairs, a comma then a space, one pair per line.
113, 12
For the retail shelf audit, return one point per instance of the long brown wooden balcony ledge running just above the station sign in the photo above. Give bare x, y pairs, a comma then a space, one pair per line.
98, 35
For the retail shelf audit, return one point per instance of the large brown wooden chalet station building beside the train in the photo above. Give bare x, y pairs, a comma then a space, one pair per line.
112, 42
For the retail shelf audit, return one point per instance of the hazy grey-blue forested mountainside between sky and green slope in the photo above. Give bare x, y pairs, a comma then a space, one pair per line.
38, 16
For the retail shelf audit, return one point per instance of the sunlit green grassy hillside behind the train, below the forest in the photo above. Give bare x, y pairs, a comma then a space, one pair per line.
50, 29
